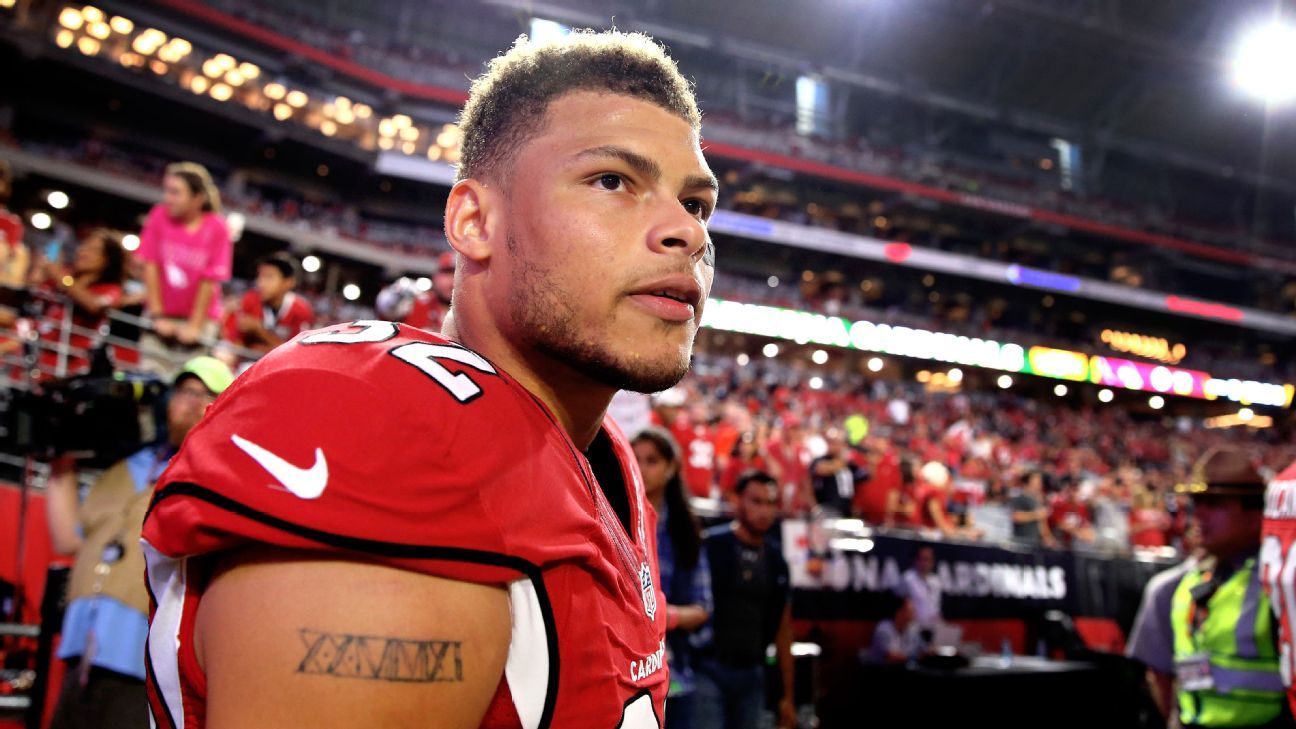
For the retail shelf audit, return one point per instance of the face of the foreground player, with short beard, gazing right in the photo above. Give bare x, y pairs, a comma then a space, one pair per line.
607, 209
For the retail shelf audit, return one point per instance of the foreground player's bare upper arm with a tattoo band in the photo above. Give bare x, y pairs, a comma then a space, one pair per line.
290, 639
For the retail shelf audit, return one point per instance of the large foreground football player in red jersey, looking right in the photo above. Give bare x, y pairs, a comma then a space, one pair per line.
383, 527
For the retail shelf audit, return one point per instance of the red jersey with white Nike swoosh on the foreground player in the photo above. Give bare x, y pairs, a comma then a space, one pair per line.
427, 459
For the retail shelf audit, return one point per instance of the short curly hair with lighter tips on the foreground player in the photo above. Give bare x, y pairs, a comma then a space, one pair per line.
507, 104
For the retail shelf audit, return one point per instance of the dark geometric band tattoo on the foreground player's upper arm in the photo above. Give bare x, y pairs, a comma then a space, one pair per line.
379, 658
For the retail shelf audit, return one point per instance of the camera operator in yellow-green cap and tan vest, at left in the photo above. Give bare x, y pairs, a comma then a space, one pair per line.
107, 621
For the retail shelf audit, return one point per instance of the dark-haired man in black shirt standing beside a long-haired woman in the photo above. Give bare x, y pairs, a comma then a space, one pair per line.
750, 579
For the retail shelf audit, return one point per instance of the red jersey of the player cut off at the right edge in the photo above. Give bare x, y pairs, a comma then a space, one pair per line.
1279, 568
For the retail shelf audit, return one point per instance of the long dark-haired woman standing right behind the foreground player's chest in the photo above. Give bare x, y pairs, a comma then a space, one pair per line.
686, 578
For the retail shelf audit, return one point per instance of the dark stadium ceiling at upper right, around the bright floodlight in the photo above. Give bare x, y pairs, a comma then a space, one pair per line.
1148, 78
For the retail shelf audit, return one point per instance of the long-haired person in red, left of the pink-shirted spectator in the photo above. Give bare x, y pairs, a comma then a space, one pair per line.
93, 286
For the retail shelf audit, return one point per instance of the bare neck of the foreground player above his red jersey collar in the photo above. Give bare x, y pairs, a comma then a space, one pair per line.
576, 401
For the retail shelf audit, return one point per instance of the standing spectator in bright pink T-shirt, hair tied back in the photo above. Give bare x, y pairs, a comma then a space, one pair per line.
189, 254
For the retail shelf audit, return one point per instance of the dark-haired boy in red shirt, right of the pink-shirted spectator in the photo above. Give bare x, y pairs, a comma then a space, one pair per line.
273, 313
